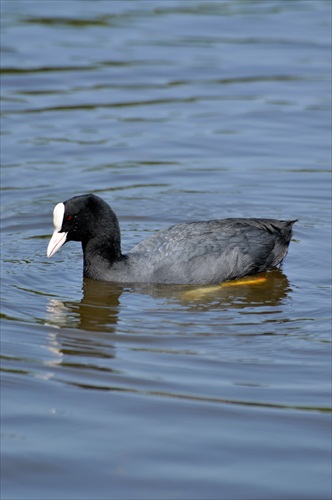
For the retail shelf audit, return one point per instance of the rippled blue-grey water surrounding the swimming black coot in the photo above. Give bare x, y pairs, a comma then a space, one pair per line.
171, 111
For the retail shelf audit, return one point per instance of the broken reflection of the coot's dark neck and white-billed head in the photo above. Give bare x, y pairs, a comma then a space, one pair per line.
70, 340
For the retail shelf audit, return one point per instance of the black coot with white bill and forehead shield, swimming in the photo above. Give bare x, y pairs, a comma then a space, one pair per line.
188, 253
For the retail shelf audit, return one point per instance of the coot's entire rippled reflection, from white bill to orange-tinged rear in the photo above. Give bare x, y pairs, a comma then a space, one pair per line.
99, 309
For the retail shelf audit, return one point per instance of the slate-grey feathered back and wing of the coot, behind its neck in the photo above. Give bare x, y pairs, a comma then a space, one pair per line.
214, 251
